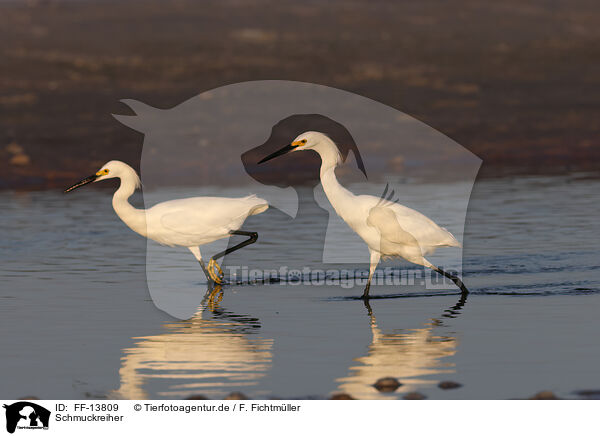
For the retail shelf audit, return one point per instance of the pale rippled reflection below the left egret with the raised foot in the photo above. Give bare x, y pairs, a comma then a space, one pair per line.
210, 357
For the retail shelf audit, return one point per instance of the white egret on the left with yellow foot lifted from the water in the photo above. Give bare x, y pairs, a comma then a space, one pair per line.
188, 222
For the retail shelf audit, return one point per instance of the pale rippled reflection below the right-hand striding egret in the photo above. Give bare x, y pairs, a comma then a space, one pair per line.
414, 357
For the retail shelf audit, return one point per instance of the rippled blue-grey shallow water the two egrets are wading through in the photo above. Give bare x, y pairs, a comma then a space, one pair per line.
79, 321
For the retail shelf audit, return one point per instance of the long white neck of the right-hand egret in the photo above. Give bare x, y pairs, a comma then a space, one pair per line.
330, 158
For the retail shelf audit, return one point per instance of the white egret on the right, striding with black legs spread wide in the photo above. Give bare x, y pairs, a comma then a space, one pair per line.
389, 229
